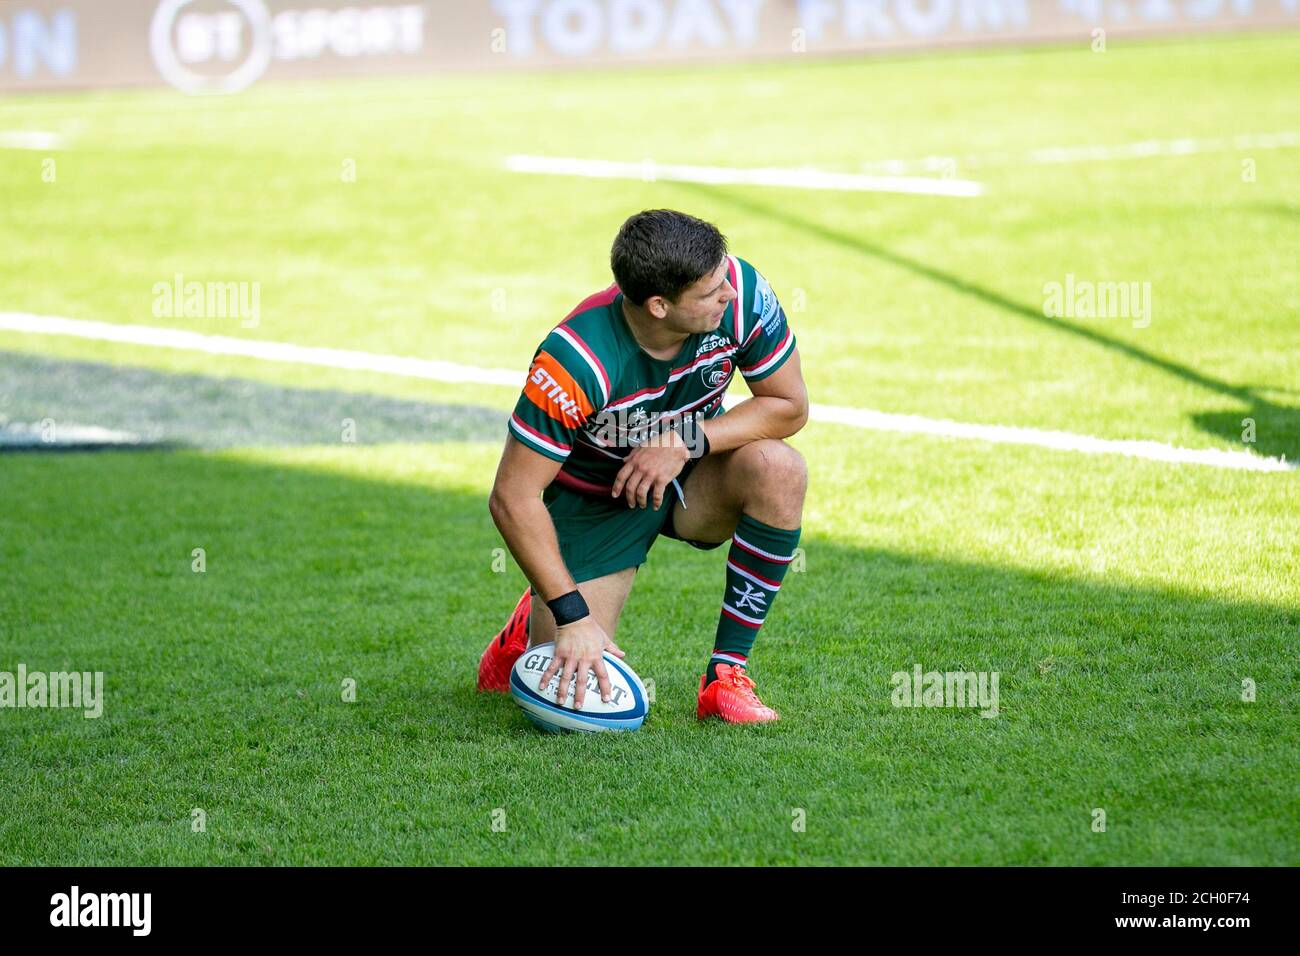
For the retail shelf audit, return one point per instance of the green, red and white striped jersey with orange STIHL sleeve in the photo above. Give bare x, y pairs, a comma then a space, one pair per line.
593, 393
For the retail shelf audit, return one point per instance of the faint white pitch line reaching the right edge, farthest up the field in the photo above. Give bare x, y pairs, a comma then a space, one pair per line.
1050, 155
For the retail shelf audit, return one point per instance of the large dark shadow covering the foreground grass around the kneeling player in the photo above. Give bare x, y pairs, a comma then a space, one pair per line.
226, 691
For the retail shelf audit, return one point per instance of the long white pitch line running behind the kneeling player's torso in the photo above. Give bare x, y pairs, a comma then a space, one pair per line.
435, 370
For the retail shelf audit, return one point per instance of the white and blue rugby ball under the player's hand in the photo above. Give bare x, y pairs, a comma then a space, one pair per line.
627, 708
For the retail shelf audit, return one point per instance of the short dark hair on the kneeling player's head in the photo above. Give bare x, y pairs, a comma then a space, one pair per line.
662, 252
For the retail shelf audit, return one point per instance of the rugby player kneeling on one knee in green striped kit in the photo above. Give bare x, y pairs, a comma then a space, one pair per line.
621, 438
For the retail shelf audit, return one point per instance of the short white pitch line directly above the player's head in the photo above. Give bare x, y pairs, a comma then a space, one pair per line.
649, 171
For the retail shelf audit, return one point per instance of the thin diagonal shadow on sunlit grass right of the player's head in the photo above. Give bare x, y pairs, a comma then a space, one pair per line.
1277, 426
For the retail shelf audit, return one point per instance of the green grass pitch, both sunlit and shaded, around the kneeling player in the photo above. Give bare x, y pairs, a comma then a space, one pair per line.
1123, 602
